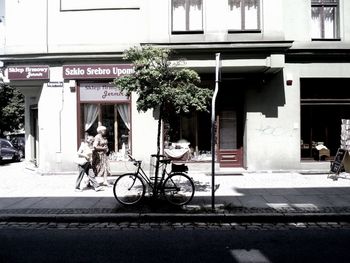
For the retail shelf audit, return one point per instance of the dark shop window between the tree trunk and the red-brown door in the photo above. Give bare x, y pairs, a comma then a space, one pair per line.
188, 137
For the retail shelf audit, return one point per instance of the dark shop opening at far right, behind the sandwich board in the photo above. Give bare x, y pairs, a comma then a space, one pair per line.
324, 102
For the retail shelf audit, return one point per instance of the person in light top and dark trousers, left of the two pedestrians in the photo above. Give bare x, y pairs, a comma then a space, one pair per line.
84, 163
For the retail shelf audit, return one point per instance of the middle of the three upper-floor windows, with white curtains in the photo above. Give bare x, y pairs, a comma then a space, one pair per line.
244, 15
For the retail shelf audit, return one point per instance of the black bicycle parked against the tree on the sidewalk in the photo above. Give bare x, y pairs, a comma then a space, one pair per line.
176, 186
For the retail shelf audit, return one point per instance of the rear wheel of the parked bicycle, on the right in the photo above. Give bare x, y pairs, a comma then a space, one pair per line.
178, 189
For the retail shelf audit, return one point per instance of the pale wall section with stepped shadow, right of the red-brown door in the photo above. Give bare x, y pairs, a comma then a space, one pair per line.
272, 125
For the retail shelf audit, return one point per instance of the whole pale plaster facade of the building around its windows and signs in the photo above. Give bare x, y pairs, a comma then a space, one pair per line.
65, 28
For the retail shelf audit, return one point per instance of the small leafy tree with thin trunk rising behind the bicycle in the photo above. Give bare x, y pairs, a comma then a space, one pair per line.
161, 85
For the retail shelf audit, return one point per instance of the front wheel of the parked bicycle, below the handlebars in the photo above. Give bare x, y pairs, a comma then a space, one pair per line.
129, 189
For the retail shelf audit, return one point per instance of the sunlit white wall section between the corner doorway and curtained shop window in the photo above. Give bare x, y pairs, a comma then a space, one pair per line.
57, 126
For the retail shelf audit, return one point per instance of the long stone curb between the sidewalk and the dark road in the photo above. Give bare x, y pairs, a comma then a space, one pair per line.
165, 217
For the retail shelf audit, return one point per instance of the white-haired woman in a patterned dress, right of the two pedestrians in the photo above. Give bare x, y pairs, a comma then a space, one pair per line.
100, 163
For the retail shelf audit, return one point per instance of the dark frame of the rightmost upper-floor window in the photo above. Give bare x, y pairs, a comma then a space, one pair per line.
326, 4
